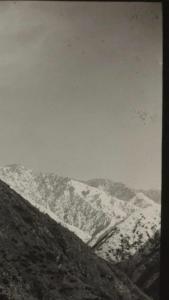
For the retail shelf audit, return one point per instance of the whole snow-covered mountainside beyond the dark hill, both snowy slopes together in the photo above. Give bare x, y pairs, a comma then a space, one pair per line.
115, 228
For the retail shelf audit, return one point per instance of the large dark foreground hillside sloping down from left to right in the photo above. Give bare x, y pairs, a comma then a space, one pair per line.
40, 259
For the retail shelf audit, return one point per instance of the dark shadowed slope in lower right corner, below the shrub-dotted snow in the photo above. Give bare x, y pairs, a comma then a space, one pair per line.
144, 267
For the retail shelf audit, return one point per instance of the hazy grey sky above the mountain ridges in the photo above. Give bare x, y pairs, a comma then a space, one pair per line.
81, 89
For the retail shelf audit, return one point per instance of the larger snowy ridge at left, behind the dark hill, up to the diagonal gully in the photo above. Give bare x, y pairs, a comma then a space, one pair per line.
84, 209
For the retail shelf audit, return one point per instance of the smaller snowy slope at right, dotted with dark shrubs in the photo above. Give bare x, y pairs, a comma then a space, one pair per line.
124, 239
